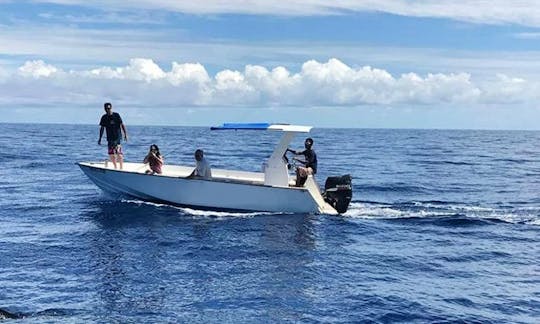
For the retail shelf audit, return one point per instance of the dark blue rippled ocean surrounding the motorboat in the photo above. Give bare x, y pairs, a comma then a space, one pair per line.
444, 227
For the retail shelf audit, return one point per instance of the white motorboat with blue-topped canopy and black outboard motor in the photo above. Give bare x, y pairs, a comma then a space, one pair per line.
273, 190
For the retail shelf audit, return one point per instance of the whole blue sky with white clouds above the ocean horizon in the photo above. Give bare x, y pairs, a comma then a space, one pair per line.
395, 64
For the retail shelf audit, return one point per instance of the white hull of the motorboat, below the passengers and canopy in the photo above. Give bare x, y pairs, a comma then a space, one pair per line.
220, 193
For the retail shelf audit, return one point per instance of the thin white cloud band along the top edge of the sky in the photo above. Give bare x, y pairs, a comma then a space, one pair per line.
524, 12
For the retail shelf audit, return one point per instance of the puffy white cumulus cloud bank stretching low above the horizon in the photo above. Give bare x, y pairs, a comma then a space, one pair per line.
333, 83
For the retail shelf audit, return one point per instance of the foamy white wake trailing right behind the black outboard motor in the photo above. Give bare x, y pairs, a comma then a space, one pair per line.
507, 214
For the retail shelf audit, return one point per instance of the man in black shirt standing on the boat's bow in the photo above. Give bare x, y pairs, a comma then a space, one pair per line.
112, 122
